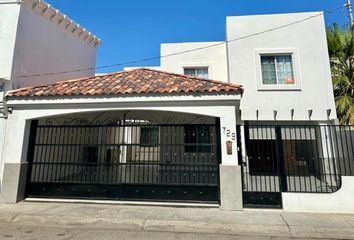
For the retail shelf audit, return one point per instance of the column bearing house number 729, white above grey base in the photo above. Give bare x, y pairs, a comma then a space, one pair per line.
230, 172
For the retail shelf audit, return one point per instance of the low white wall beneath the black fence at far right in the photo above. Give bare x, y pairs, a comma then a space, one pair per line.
337, 202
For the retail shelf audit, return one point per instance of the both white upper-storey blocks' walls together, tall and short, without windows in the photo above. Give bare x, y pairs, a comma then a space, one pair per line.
302, 35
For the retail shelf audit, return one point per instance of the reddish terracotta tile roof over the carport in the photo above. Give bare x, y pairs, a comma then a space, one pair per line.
142, 80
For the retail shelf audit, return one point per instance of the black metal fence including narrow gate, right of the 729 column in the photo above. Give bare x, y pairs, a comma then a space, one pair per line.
308, 159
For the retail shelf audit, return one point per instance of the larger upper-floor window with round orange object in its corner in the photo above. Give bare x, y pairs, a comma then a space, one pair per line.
277, 69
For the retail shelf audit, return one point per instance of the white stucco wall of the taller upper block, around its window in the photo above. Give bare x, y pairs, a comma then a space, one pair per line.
306, 40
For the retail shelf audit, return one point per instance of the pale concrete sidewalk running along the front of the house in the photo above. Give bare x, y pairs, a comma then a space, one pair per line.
178, 219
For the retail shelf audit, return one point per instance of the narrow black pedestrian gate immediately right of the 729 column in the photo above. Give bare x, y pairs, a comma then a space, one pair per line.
260, 169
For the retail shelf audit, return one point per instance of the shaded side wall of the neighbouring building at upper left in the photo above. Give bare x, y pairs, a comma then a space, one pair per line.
42, 46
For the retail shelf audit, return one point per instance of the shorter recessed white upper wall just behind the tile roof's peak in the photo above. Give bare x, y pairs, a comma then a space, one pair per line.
214, 58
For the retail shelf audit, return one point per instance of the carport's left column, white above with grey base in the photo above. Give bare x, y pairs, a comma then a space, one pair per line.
14, 165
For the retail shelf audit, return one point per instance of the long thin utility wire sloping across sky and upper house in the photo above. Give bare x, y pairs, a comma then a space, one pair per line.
177, 53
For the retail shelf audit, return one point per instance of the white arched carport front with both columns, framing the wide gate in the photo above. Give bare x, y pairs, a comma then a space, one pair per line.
220, 105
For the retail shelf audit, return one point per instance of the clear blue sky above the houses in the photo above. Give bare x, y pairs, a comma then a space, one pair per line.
134, 29
